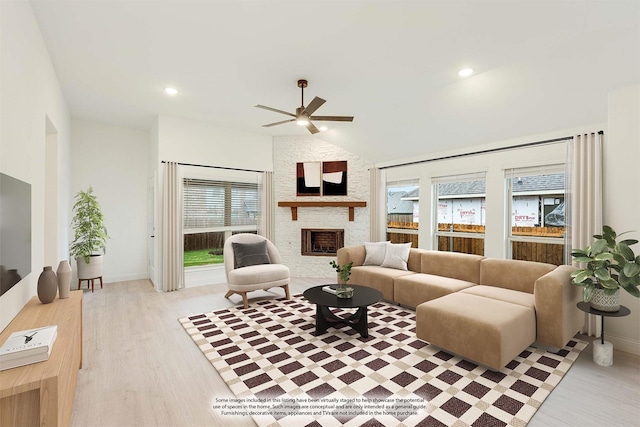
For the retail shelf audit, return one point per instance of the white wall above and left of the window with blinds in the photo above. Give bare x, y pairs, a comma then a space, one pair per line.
199, 143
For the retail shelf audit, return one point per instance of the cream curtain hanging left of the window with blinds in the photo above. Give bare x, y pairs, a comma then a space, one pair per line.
172, 230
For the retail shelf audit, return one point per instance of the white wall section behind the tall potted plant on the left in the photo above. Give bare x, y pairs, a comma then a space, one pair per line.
114, 161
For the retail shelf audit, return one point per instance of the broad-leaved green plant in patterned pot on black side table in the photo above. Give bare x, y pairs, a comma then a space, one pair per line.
610, 265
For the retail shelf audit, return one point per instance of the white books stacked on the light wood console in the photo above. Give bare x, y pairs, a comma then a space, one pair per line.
28, 343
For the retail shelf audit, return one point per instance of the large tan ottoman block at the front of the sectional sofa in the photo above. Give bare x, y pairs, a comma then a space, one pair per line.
478, 328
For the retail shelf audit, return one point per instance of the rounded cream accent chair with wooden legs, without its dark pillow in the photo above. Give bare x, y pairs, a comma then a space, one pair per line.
254, 277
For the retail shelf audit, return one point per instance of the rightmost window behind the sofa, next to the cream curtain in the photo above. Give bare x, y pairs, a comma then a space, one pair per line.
537, 222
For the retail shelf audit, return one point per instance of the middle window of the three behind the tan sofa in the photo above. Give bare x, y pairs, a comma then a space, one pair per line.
461, 213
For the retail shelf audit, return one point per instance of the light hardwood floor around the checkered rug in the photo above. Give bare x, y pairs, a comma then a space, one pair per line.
141, 369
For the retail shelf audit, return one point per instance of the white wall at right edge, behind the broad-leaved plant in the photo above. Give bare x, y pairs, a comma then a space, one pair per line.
622, 198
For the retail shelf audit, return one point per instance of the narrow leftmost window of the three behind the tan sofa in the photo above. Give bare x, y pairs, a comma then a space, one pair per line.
403, 212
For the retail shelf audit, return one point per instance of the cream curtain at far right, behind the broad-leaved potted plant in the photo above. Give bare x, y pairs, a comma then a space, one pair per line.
584, 210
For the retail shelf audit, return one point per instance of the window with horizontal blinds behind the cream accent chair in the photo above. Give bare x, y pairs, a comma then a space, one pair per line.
213, 211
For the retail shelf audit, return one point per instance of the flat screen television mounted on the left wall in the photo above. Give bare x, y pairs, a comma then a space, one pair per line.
15, 231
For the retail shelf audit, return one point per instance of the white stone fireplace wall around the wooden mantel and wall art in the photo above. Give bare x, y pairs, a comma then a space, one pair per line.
287, 152
